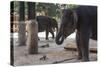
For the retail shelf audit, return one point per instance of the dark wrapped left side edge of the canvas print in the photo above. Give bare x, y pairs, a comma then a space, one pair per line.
11, 33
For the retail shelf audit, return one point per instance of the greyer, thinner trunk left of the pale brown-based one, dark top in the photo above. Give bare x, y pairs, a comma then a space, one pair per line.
22, 32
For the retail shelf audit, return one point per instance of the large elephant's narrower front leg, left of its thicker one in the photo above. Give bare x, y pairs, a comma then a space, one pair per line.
78, 45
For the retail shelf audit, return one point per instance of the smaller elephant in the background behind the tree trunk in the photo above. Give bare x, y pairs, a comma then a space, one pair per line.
48, 24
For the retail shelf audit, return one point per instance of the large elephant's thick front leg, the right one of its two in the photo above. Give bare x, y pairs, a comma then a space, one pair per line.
84, 40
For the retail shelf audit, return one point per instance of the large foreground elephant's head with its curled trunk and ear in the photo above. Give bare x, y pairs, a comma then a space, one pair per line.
67, 26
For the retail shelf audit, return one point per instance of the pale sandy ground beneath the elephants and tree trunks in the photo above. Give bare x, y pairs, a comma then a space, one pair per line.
54, 53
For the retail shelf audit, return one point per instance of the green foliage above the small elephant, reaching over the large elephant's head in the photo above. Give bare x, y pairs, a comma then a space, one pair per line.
52, 9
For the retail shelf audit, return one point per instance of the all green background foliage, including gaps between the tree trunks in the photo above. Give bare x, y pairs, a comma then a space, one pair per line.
50, 9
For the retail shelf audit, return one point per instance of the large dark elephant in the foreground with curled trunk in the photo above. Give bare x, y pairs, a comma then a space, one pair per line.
83, 19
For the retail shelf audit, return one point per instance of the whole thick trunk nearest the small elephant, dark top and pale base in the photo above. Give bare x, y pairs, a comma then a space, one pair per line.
32, 30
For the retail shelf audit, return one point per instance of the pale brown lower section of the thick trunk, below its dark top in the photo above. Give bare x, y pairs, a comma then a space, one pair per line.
32, 37
